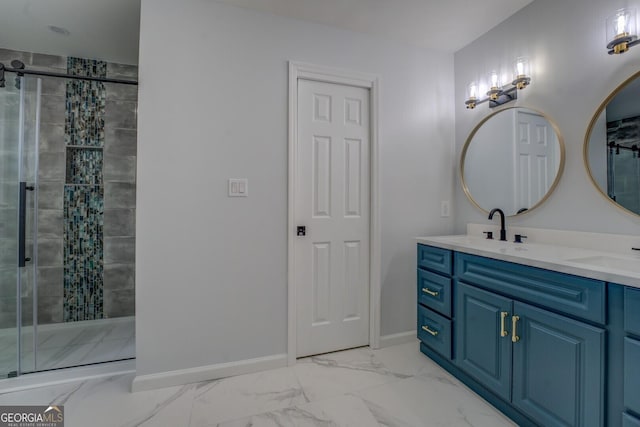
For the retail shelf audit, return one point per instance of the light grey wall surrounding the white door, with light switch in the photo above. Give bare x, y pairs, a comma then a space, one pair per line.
211, 270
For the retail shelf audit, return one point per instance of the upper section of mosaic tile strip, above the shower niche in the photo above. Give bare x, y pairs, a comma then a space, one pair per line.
85, 103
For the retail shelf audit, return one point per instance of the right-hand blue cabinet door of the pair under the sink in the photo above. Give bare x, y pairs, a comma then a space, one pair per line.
558, 369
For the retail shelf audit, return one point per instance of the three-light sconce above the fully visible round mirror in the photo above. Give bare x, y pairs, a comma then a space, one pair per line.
499, 94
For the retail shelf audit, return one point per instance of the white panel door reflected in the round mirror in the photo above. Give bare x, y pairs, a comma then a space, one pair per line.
535, 159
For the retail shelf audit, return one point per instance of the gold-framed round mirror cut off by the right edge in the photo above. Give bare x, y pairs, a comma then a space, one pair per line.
612, 146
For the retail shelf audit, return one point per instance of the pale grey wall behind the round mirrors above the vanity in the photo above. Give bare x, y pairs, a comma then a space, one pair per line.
572, 75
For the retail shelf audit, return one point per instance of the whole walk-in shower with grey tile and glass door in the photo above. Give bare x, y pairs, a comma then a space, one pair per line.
67, 212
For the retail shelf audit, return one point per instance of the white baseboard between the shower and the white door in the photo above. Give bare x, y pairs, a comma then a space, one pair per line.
206, 373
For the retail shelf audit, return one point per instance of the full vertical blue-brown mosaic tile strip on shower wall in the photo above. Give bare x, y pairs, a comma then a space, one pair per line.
83, 194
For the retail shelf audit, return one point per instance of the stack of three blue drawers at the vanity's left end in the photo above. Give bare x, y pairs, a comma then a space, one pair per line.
434, 299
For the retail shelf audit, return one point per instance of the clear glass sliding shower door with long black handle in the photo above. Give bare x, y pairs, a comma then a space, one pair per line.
18, 162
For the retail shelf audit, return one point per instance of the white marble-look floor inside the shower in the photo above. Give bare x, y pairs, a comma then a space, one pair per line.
63, 345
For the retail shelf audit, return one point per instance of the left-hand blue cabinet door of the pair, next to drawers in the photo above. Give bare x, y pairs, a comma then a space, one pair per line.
480, 349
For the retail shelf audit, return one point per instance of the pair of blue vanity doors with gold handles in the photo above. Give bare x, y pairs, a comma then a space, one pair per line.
547, 365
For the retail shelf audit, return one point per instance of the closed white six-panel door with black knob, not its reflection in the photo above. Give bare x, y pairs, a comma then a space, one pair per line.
333, 203
